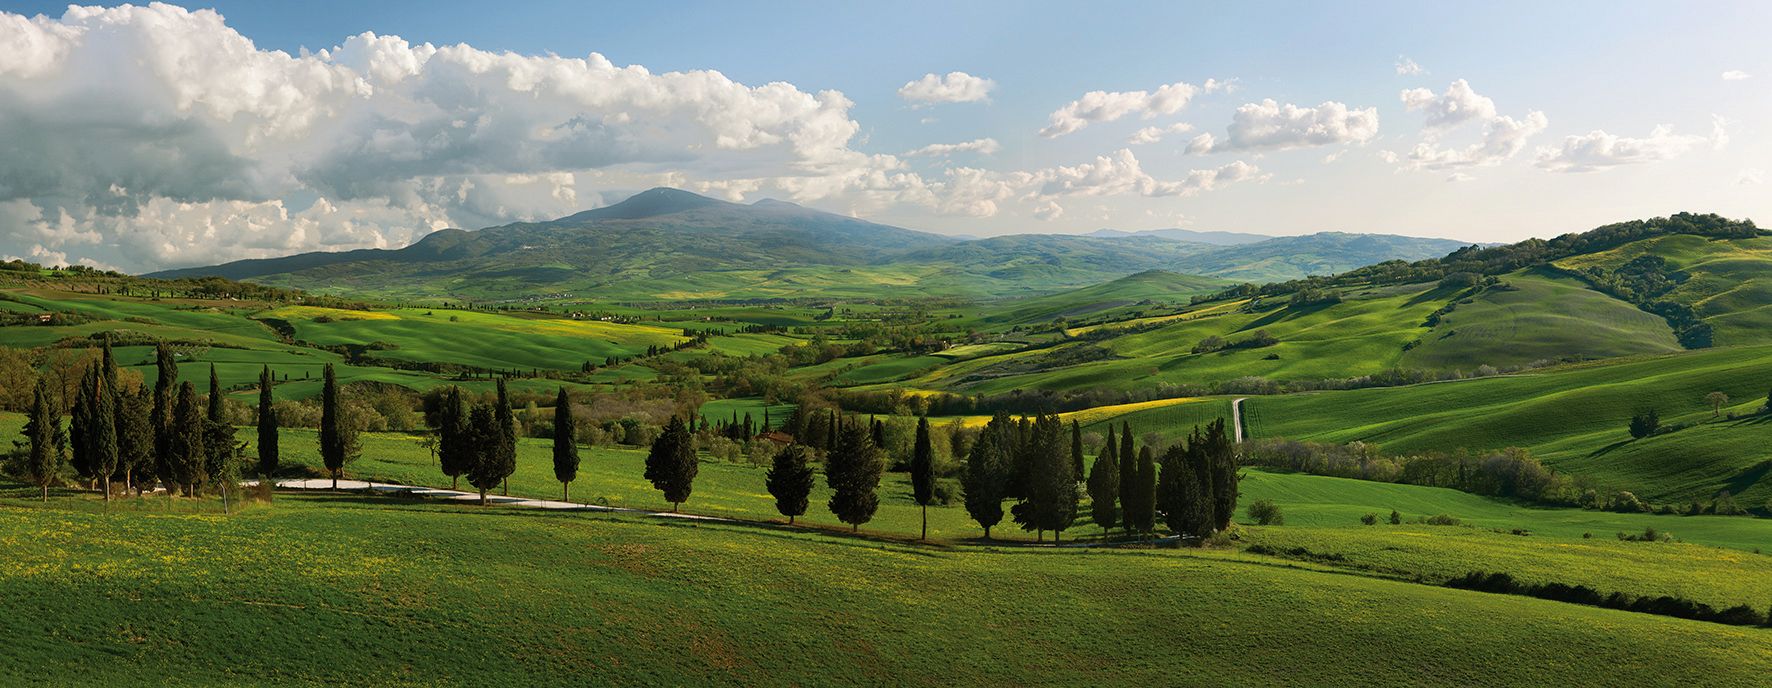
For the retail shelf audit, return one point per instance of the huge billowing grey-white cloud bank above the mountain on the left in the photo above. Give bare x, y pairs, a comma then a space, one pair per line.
155, 137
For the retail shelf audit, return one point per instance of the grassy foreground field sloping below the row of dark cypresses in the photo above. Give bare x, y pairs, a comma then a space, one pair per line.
387, 593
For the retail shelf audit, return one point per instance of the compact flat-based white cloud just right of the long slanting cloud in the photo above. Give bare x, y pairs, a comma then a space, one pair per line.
1273, 127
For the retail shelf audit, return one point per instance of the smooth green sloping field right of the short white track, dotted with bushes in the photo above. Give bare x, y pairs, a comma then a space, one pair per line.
1573, 418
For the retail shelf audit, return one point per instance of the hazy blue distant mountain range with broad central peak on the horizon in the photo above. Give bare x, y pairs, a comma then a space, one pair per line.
667, 244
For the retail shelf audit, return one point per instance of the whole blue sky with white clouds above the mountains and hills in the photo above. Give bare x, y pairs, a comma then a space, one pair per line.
160, 136
